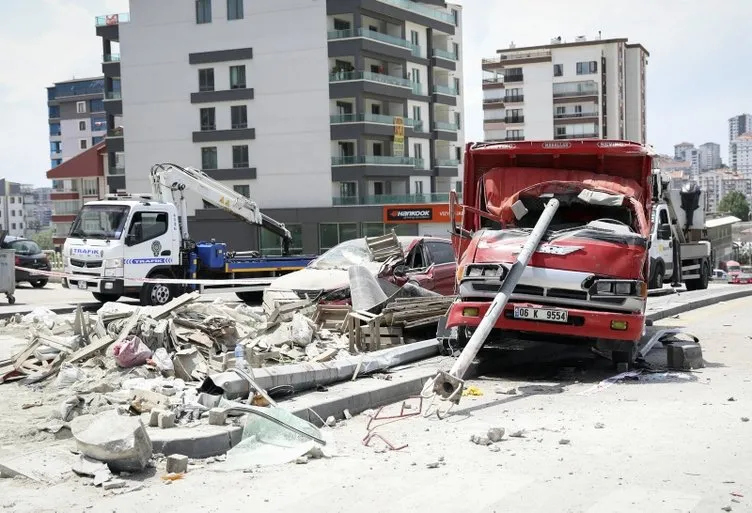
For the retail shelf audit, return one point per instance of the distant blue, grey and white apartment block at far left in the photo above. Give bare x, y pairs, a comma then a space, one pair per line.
76, 117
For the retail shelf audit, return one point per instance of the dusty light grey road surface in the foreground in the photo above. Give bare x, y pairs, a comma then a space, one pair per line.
663, 443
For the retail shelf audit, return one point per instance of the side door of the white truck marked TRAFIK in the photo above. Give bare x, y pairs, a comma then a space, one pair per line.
148, 243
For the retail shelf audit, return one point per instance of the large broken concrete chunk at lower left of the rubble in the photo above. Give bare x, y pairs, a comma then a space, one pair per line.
121, 442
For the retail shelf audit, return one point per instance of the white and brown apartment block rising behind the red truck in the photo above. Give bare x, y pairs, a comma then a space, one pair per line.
582, 89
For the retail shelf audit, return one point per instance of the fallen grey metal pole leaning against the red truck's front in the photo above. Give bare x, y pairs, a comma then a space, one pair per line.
449, 385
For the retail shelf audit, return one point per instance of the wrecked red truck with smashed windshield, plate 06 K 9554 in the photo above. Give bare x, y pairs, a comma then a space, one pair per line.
587, 280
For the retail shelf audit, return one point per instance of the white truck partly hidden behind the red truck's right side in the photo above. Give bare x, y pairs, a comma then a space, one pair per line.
679, 249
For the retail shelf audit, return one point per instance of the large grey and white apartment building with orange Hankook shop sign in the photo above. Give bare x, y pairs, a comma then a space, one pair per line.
352, 127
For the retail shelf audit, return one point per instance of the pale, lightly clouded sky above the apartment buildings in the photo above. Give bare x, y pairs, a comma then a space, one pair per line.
698, 72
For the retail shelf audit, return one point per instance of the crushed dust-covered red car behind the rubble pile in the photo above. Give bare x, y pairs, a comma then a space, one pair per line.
429, 262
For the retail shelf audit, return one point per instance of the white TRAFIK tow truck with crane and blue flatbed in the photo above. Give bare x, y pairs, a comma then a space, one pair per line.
139, 245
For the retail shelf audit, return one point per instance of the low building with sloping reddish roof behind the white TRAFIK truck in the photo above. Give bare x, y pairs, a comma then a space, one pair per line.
74, 182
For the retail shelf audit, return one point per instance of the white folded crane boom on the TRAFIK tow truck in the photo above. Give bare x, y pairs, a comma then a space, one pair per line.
173, 178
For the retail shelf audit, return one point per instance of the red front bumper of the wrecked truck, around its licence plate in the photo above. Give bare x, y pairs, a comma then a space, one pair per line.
580, 323
